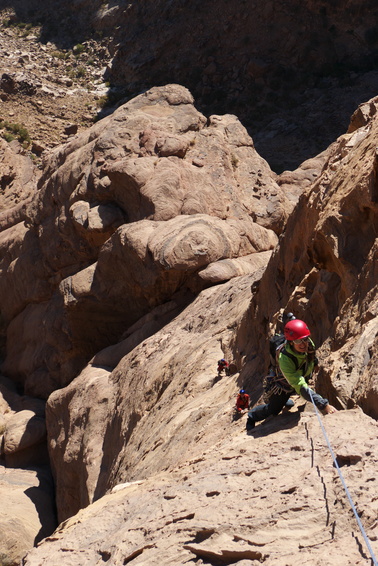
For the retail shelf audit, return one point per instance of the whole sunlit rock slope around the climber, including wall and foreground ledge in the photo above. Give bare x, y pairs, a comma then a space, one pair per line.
163, 418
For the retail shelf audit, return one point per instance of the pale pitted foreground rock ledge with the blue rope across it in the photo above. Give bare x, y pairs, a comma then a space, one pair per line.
272, 497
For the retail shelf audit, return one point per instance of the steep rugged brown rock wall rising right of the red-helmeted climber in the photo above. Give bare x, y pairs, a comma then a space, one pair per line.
325, 271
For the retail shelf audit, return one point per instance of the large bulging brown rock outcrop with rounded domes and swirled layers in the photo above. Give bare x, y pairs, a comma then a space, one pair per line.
137, 207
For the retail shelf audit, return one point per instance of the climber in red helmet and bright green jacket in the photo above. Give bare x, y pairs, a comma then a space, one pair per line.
296, 363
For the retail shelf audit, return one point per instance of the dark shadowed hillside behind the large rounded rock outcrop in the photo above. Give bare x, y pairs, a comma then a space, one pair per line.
292, 73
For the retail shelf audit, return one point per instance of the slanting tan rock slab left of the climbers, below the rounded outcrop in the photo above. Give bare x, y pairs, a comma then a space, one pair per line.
156, 406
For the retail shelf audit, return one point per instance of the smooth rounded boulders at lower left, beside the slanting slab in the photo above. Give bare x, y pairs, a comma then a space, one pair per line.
28, 512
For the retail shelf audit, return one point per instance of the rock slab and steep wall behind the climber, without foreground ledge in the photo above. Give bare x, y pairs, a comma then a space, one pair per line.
131, 389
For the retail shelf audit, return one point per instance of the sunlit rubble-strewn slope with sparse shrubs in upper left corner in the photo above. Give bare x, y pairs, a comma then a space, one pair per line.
49, 91
